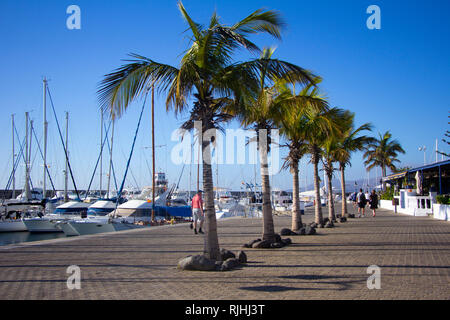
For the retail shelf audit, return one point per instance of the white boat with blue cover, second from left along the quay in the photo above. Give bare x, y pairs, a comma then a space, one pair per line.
67, 211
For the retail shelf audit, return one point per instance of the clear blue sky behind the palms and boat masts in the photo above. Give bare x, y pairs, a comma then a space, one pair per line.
396, 78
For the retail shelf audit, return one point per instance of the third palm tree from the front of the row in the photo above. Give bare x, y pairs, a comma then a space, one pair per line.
291, 126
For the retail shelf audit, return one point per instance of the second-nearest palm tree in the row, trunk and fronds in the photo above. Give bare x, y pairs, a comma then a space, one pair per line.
262, 110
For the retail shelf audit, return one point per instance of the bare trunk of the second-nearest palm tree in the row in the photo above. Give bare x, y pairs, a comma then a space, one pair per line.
268, 226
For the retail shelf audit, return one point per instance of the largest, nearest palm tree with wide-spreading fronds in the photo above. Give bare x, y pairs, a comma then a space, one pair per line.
208, 75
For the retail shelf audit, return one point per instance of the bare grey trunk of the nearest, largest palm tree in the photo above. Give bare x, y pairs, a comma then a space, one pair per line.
211, 244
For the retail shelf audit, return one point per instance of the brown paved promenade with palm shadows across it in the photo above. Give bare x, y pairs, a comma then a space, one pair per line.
413, 254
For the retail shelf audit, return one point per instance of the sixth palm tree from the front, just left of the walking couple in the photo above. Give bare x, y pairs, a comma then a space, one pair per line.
351, 142
